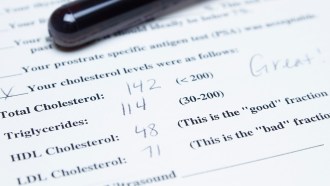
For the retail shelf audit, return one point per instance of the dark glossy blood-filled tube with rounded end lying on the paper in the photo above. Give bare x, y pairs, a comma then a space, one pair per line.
82, 21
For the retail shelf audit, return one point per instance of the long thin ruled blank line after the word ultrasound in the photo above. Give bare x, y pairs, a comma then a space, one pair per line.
253, 161
